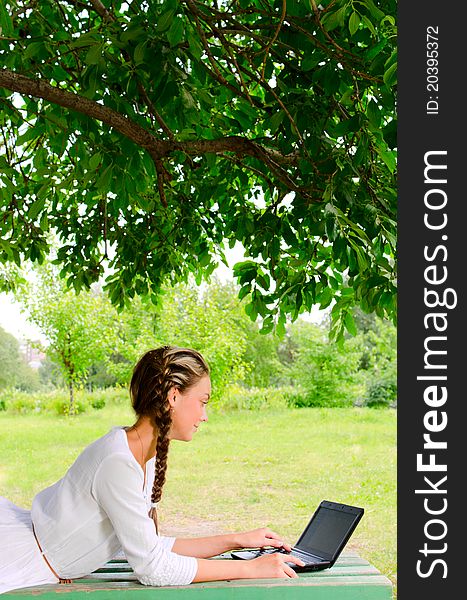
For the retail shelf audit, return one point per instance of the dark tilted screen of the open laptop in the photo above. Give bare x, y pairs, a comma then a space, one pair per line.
327, 531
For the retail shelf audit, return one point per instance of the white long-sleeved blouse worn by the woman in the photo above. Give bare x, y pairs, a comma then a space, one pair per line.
100, 508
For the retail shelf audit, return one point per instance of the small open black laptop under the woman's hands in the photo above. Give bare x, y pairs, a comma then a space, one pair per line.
323, 539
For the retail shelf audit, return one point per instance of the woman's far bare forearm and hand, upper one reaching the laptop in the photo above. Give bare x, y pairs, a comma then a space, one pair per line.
217, 544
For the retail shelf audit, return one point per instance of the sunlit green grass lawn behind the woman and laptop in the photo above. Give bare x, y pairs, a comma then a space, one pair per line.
242, 470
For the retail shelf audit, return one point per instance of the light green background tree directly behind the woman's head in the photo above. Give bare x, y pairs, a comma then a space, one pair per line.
204, 319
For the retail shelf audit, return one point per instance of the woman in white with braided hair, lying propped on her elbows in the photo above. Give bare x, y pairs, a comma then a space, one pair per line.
107, 501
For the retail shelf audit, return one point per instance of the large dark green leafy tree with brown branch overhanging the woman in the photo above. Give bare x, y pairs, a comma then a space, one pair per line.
147, 136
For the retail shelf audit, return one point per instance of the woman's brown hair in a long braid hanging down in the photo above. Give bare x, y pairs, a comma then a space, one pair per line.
154, 375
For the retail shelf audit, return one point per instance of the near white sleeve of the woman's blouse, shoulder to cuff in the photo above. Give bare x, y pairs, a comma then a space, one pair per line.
117, 487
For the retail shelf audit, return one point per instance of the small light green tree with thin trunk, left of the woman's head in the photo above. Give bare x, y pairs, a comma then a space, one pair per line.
79, 328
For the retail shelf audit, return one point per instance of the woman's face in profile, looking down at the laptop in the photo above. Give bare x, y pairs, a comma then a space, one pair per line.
189, 409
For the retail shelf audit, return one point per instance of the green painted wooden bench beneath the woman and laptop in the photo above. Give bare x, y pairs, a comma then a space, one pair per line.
351, 578
